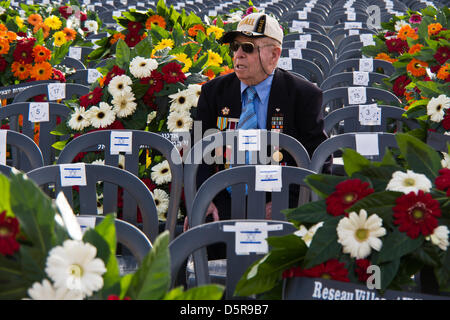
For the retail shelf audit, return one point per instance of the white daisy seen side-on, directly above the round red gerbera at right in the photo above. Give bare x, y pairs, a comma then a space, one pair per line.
409, 181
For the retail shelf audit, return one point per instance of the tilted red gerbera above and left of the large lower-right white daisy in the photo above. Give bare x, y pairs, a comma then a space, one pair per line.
346, 194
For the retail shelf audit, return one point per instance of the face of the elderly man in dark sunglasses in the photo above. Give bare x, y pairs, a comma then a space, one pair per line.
249, 66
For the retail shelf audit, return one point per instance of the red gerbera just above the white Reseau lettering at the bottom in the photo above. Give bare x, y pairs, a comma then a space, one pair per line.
332, 269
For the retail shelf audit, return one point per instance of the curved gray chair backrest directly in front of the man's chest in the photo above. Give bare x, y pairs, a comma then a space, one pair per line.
203, 149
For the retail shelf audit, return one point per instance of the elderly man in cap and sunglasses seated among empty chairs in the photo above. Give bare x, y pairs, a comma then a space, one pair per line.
279, 100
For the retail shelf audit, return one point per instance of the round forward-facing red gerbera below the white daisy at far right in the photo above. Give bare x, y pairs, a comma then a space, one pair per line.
416, 213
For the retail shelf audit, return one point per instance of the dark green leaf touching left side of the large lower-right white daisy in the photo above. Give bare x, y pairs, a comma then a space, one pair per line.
324, 245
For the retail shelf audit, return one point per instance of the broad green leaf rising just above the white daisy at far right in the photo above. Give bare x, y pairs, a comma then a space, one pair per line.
420, 157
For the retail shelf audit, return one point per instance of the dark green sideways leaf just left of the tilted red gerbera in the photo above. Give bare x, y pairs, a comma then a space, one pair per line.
311, 212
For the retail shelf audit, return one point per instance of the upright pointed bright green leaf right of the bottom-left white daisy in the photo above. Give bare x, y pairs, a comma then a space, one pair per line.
152, 280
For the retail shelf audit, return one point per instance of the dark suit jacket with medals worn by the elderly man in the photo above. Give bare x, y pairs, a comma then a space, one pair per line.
298, 101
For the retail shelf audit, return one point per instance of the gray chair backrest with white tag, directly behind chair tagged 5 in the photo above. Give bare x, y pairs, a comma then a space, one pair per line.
71, 89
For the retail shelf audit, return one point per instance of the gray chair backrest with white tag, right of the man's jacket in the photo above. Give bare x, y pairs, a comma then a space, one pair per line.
349, 140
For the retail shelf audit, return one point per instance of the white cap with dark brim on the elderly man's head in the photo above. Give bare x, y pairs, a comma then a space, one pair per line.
256, 25
